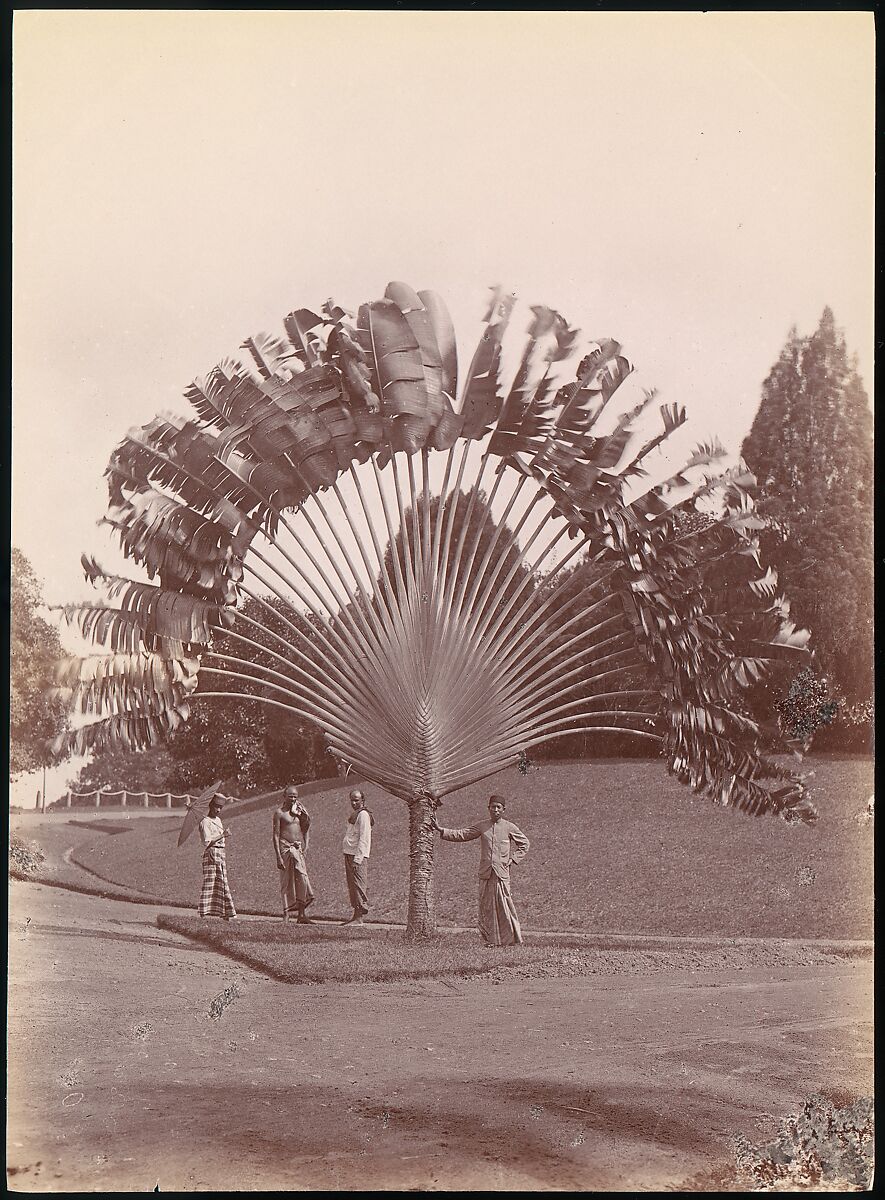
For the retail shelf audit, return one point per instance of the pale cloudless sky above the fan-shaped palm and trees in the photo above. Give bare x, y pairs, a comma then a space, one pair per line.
690, 184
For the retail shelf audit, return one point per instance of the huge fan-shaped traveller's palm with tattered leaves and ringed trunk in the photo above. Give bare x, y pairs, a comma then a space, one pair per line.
444, 662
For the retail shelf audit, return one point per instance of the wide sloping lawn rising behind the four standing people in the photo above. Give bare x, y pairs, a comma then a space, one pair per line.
617, 848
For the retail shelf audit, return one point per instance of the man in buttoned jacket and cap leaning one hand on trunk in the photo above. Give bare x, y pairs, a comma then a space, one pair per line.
502, 844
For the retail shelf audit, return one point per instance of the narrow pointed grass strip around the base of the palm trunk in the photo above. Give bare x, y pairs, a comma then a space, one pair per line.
305, 955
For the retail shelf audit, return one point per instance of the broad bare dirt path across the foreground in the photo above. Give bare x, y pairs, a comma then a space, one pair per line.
122, 1078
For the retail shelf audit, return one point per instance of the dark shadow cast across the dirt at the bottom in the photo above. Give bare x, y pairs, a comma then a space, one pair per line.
459, 1133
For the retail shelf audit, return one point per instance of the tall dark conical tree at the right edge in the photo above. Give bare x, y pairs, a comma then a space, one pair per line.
812, 453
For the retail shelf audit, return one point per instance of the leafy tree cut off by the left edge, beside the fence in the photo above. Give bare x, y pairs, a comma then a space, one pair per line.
37, 717
